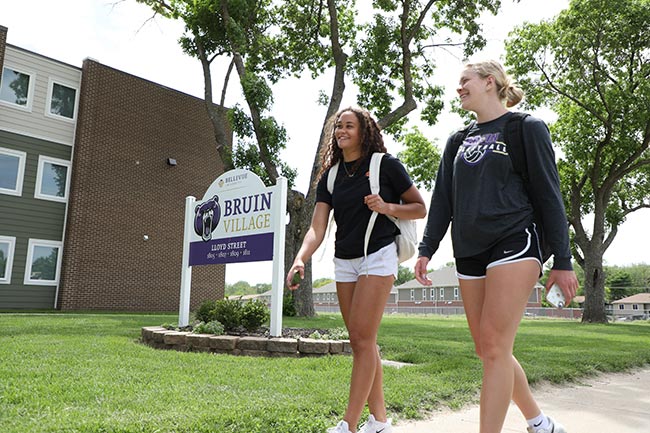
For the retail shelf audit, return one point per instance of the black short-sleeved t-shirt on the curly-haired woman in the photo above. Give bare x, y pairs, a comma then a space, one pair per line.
351, 213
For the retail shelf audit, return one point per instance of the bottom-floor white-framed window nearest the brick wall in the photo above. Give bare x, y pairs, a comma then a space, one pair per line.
43, 262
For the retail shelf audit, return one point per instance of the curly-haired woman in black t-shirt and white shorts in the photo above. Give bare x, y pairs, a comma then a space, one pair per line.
362, 284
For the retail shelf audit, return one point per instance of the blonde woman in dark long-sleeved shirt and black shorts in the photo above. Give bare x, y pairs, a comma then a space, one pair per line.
494, 238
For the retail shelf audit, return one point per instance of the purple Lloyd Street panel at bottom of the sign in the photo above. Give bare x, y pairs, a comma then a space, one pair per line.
250, 248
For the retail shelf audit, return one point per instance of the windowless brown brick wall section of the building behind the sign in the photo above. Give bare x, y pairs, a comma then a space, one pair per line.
123, 190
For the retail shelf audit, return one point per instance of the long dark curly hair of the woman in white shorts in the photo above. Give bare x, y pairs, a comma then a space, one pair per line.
371, 139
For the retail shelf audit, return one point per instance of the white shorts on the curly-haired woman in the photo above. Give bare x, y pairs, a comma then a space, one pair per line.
381, 263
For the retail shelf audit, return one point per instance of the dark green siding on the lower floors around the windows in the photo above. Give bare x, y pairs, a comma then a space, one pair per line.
28, 218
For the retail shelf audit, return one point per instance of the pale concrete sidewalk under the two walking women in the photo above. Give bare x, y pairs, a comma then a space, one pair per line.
608, 403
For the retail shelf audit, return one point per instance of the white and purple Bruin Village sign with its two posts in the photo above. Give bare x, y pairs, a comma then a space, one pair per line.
238, 220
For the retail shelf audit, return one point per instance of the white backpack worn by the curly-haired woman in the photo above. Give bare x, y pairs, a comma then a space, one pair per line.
407, 239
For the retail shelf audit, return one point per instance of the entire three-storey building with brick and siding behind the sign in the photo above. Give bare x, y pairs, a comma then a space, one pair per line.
95, 165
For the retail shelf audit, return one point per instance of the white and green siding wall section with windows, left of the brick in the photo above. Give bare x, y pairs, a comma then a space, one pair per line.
27, 216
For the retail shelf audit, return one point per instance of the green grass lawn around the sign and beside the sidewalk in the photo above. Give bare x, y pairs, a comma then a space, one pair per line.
88, 373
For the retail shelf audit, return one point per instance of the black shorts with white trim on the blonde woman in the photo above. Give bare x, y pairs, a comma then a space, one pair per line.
516, 247
